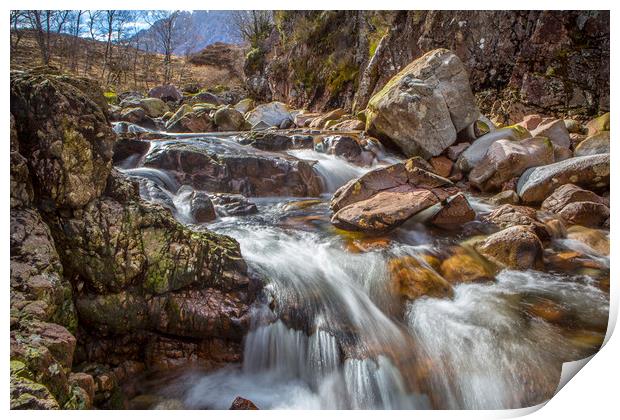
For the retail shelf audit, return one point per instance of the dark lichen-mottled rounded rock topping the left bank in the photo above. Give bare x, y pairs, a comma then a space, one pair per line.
67, 141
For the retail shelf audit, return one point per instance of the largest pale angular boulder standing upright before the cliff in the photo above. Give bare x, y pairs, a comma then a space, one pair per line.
423, 107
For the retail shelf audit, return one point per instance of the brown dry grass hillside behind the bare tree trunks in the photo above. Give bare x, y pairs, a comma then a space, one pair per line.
130, 69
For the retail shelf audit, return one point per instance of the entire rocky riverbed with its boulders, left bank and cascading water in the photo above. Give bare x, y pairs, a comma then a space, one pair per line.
415, 255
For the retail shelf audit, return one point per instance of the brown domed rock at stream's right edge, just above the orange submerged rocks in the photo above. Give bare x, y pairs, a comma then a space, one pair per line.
516, 247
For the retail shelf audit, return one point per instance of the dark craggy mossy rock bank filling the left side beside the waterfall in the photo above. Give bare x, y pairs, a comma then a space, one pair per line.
96, 262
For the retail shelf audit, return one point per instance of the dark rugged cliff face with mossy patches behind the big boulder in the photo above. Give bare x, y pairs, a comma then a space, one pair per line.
555, 62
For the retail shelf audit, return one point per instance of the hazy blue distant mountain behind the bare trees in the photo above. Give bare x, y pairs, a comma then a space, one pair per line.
201, 28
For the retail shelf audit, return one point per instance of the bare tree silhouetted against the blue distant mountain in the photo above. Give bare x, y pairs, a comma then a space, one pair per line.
166, 35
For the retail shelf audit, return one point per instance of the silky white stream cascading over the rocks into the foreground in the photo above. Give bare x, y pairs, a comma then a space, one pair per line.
328, 332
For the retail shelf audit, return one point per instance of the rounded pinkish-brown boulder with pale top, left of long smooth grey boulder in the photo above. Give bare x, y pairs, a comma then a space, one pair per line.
506, 159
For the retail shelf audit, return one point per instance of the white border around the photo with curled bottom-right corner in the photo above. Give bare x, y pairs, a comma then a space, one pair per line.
594, 394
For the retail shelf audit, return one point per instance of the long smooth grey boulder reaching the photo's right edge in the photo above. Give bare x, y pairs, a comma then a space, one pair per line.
591, 172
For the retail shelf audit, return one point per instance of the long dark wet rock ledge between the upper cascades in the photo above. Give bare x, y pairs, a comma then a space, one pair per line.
217, 167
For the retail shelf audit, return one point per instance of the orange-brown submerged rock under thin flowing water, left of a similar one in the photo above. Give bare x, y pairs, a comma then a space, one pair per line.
412, 278
